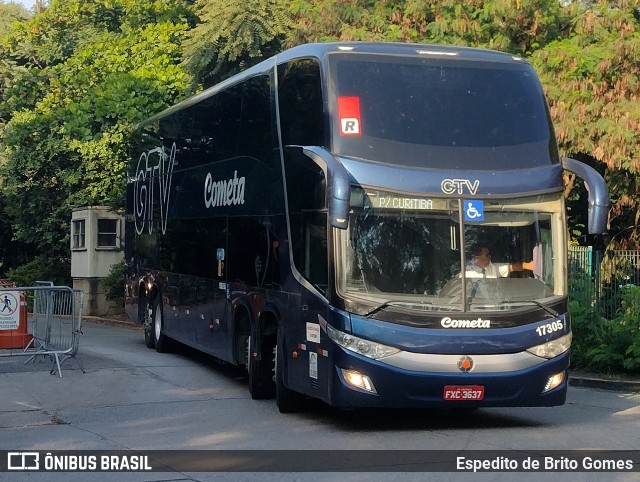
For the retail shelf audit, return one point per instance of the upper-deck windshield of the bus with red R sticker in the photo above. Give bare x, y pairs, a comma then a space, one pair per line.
439, 111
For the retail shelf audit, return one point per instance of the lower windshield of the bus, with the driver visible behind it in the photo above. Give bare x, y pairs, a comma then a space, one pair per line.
408, 252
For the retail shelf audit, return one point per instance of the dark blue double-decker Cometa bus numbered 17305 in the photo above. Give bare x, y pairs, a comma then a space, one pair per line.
321, 219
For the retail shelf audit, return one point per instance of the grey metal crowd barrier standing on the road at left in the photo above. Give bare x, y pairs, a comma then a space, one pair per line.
53, 319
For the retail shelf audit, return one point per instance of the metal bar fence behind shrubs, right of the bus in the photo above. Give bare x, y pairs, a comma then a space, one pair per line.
599, 277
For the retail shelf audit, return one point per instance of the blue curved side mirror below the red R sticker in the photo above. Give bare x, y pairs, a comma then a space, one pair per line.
338, 185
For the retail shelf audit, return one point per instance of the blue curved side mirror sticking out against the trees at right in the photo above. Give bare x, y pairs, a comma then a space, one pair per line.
598, 194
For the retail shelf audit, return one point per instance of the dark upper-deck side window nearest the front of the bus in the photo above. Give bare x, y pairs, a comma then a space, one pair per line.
300, 101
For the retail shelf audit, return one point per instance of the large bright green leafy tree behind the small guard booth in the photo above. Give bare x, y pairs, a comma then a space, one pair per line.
92, 70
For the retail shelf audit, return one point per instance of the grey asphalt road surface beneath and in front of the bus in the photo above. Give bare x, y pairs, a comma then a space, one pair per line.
132, 398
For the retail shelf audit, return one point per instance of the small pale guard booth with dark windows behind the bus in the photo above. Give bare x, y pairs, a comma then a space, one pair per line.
96, 244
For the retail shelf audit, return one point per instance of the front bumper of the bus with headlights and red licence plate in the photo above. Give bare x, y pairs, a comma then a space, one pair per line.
517, 379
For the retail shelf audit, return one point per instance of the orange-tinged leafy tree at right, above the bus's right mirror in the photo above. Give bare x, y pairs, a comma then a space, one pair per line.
591, 81
